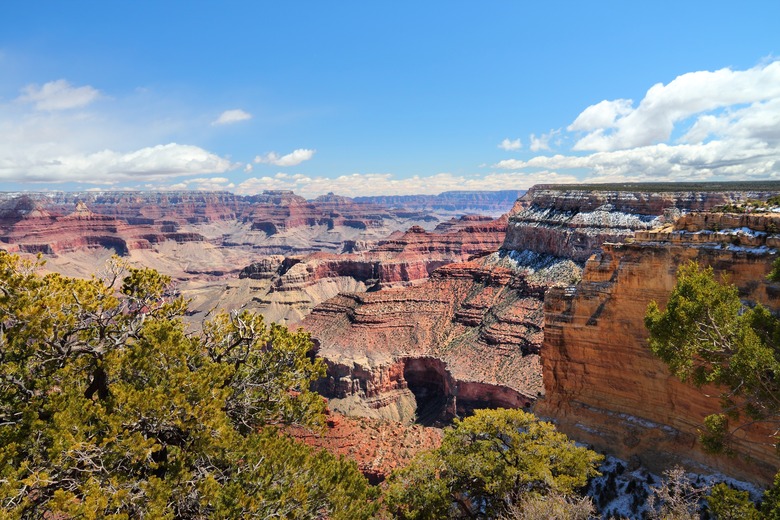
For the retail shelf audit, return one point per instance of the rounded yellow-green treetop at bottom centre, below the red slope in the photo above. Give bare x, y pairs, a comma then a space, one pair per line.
487, 462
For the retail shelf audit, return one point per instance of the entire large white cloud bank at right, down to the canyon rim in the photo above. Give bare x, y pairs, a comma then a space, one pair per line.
721, 125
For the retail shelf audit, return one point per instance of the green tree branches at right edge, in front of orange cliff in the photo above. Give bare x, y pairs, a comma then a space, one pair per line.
706, 336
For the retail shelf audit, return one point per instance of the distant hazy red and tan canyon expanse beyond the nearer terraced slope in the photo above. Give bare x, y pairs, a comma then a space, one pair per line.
217, 247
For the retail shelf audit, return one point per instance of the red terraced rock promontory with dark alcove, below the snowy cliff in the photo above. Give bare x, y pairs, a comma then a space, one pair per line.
467, 337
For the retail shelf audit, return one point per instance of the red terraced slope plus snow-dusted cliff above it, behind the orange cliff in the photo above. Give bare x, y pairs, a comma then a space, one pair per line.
482, 318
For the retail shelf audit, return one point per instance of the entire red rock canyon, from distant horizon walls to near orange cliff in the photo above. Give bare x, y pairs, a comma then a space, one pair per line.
425, 309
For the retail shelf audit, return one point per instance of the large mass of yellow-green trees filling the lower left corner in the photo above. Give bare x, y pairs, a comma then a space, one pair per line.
110, 409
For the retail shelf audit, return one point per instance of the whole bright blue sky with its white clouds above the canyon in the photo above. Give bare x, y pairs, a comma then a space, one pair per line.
385, 97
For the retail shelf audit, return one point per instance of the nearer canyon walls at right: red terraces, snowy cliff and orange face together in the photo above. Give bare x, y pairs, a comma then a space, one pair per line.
553, 322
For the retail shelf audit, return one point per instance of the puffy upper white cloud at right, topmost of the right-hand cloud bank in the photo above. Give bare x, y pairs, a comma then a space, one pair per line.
617, 125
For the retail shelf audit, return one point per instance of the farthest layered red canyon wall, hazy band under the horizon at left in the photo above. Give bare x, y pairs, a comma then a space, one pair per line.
272, 223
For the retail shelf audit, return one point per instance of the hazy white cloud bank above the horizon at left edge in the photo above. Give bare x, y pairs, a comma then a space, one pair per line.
50, 135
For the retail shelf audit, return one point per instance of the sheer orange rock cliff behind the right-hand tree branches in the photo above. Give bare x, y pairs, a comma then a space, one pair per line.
603, 385
